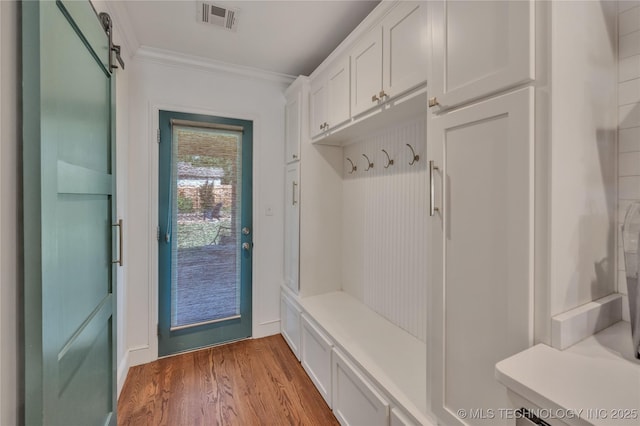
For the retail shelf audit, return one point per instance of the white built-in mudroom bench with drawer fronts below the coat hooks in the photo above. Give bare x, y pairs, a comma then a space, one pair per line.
369, 371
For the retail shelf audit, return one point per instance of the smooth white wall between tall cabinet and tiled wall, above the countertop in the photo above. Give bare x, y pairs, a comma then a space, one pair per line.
582, 152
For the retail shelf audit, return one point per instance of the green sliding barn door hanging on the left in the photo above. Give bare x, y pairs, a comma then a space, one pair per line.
69, 209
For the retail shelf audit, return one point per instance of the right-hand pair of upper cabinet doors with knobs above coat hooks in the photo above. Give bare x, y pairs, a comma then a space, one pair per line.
391, 58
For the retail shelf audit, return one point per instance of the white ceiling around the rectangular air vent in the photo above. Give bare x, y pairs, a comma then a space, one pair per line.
288, 37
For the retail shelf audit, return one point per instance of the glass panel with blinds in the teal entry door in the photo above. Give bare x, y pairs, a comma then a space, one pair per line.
205, 218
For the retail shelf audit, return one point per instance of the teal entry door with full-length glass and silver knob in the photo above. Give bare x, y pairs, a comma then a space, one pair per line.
205, 235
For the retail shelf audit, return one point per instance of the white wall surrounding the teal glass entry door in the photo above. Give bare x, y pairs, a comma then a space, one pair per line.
165, 84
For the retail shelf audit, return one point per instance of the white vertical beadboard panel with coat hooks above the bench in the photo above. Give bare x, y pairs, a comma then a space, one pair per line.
385, 225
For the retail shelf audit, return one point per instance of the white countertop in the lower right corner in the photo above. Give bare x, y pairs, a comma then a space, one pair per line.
597, 378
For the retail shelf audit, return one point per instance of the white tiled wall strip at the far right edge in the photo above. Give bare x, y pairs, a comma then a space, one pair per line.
629, 125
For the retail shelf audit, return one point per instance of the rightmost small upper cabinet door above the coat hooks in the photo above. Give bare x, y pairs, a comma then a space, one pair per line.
404, 50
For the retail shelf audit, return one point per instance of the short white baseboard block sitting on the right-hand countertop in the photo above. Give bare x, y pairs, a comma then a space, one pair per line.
577, 324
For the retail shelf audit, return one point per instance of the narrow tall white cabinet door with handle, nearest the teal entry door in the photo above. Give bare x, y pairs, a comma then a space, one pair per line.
292, 227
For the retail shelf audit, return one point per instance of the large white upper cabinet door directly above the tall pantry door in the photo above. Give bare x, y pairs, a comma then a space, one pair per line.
479, 48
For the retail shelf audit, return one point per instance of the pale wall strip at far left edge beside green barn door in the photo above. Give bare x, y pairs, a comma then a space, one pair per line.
10, 321
